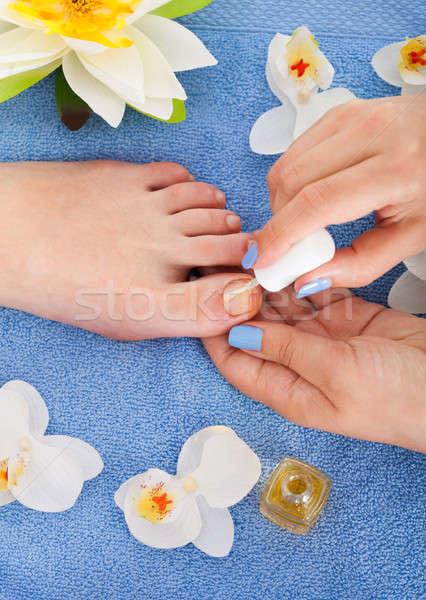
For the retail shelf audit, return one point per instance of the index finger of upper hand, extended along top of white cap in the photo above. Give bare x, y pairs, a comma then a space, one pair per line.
339, 198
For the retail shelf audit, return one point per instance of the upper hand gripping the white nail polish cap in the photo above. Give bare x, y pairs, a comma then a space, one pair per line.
361, 157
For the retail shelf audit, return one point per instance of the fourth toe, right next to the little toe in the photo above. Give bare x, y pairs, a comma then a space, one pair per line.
185, 196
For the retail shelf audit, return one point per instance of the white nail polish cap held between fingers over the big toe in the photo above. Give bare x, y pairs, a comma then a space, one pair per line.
312, 252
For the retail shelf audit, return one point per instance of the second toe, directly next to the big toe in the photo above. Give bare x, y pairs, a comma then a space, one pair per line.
212, 250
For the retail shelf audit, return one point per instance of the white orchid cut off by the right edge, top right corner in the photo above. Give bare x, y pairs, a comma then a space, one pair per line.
403, 65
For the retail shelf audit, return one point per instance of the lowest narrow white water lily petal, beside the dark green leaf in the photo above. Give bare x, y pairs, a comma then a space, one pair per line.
98, 96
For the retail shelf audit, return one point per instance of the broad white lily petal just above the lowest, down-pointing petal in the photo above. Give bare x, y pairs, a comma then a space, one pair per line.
120, 69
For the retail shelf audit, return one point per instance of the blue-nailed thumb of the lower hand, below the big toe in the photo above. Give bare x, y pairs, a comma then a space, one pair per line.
315, 358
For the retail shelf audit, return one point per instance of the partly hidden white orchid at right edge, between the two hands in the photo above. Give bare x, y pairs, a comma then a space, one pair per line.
408, 293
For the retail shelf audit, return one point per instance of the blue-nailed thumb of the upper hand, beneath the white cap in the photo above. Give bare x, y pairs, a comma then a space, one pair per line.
369, 257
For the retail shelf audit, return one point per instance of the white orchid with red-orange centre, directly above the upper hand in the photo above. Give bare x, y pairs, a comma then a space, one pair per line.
296, 69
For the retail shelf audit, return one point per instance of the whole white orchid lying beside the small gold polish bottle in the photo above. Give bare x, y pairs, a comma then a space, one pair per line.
216, 469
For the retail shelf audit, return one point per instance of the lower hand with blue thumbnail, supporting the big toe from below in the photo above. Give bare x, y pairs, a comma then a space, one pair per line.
352, 367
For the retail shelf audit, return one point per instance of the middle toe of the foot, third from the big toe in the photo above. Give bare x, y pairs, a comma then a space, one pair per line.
201, 221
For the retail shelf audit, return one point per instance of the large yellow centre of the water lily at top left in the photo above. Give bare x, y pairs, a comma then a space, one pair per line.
91, 20
